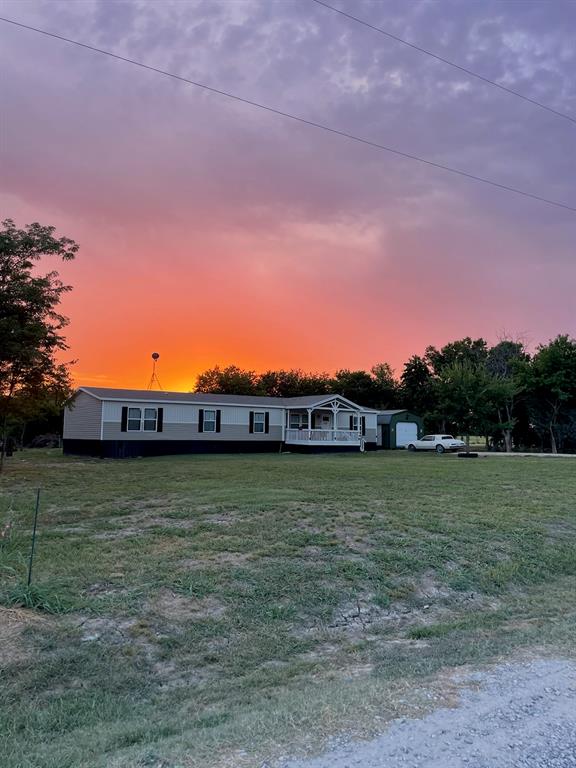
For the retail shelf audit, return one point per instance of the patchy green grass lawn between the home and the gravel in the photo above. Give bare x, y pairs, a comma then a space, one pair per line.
219, 611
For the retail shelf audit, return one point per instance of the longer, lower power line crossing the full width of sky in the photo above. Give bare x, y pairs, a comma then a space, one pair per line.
296, 118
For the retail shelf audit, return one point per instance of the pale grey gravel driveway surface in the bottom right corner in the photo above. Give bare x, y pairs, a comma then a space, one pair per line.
518, 715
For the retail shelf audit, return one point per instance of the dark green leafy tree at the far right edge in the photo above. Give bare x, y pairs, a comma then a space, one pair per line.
551, 383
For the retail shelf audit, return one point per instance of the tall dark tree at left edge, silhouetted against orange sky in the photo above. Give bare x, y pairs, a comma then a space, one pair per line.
30, 325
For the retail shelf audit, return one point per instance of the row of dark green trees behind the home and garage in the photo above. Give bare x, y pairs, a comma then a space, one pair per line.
501, 392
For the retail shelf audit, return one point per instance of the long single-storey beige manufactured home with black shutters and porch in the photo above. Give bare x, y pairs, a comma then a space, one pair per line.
118, 423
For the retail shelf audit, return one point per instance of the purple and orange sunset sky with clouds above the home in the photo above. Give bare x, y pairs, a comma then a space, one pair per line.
212, 232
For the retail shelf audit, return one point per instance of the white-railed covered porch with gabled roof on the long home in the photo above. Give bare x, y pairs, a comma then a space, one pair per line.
334, 422
